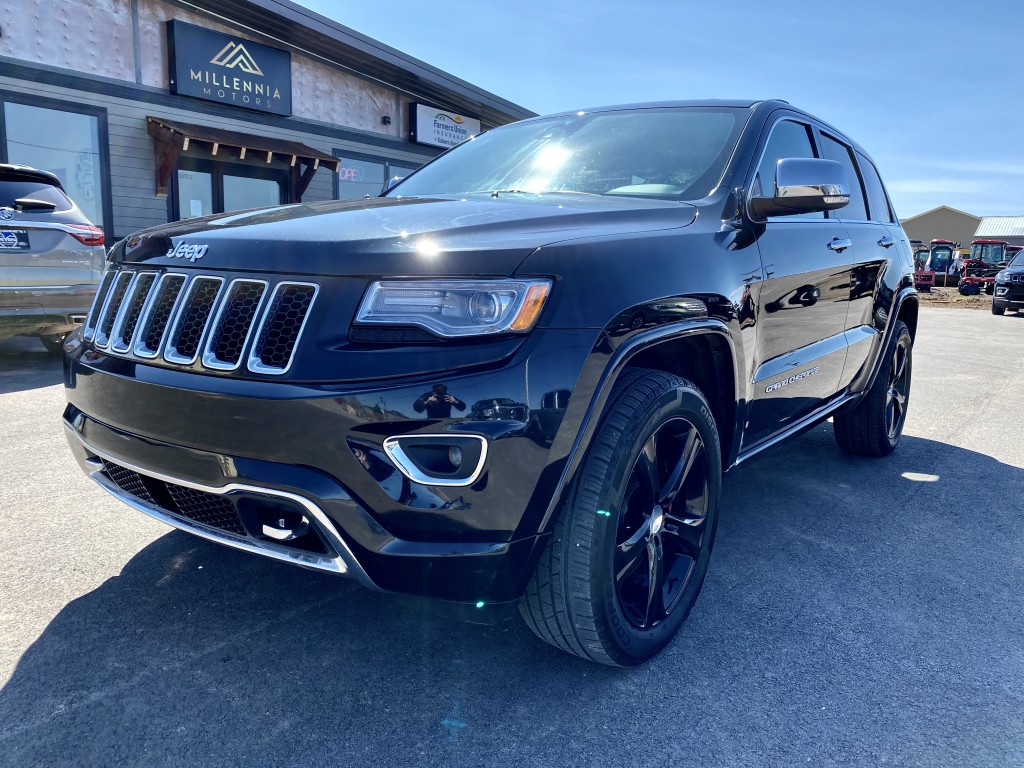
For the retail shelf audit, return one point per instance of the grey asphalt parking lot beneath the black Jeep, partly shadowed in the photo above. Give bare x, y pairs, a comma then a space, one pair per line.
858, 613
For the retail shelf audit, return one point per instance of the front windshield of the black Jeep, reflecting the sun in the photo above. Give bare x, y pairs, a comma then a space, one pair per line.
670, 154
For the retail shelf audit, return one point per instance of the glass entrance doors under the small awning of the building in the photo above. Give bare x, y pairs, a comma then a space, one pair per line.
205, 188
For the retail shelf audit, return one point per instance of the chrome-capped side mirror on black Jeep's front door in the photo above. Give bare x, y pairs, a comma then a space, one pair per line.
805, 186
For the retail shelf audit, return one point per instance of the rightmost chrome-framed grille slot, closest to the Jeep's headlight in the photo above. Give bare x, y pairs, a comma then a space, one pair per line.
281, 328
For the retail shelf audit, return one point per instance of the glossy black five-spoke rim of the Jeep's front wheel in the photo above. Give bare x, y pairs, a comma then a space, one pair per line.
663, 524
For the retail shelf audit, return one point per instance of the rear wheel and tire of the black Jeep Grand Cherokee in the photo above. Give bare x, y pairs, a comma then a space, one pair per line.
876, 424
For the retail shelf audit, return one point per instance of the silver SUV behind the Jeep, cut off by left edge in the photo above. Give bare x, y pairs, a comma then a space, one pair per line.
52, 258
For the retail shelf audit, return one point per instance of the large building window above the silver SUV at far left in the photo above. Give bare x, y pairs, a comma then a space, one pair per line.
68, 143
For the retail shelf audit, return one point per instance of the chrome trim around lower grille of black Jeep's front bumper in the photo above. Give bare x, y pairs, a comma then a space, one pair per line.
345, 565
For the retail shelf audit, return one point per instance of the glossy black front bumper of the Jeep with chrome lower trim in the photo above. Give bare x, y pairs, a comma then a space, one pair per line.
474, 547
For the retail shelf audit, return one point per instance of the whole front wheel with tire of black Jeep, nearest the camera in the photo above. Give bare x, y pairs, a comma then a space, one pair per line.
613, 524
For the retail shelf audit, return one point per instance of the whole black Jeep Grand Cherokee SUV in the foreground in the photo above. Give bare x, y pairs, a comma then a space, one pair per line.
634, 298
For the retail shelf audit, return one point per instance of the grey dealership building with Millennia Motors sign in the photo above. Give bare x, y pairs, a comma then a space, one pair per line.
155, 111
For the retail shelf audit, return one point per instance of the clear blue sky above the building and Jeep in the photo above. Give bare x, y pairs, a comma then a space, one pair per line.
933, 91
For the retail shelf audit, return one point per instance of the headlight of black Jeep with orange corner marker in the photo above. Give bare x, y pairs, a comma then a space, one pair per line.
452, 309
